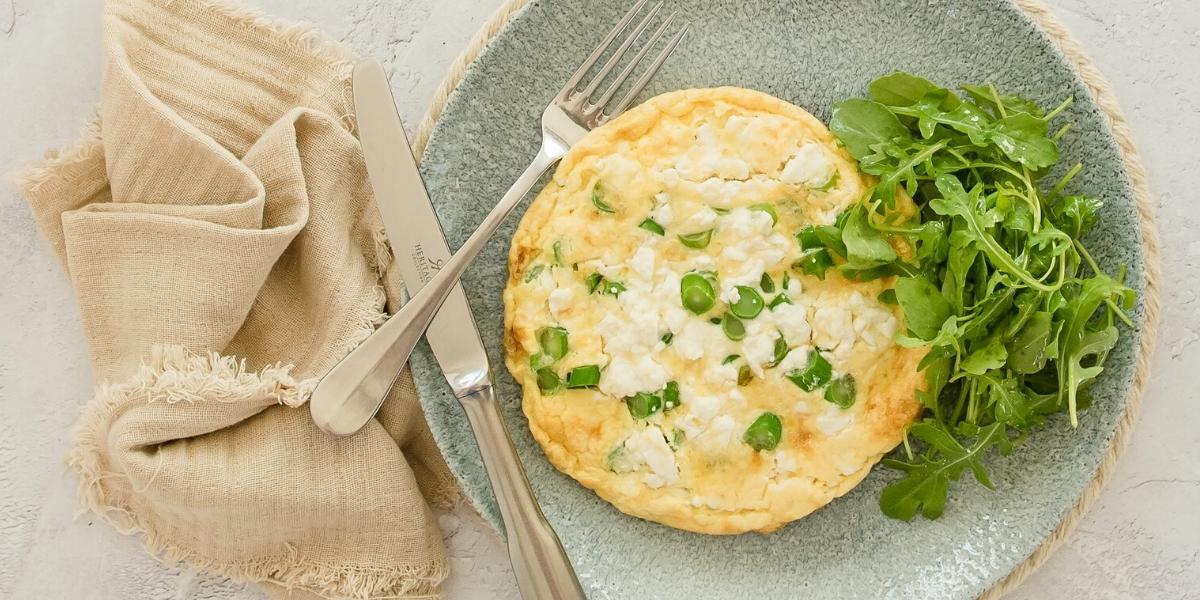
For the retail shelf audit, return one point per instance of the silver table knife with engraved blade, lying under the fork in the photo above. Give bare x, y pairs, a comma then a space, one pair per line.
542, 566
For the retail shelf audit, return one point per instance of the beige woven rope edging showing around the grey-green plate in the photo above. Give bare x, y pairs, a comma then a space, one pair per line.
1106, 99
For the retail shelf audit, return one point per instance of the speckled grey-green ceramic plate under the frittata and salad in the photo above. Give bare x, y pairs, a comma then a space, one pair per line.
812, 53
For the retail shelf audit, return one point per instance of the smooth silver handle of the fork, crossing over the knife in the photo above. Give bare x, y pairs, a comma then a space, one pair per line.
352, 393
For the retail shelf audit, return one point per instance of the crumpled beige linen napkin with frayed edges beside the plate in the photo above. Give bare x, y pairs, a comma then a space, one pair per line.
223, 241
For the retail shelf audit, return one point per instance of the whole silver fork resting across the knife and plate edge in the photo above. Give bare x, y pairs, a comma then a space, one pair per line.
361, 382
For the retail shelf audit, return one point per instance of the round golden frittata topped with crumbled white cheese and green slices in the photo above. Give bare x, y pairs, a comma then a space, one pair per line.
683, 351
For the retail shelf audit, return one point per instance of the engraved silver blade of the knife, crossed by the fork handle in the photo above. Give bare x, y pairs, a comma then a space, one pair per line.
413, 229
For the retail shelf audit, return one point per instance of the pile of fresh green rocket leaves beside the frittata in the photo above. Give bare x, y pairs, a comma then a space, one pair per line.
993, 275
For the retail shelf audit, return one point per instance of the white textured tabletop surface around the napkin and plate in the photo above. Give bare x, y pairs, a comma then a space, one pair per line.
1141, 542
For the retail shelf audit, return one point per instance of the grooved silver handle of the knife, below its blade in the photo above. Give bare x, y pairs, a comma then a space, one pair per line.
543, 569
